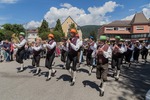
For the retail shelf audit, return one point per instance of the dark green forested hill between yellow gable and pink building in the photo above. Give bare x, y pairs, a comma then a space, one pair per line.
87, 29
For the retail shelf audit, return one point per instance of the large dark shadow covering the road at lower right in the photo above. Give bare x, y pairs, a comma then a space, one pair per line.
137, 80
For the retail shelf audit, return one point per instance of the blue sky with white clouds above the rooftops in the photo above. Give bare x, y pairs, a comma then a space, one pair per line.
30, 13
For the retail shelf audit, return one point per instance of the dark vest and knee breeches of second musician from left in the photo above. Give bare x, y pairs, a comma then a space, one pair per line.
36, 58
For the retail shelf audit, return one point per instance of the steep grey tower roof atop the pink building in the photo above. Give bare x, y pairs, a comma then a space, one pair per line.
139, 18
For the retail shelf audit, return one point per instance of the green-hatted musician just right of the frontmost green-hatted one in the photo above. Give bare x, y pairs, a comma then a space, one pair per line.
117, 51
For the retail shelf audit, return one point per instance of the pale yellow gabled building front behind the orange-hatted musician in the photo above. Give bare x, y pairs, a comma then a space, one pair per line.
66, 25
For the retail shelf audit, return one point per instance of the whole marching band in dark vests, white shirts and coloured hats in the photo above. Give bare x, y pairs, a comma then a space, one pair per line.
72, 50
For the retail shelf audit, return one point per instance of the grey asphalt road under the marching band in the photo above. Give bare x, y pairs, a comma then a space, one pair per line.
133, 84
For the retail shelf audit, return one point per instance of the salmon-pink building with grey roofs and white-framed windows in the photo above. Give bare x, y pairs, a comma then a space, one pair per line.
137, 28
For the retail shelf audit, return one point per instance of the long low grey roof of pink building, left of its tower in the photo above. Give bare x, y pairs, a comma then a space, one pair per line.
119, 23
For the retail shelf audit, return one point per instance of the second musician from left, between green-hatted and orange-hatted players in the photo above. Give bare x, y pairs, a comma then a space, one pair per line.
37, 48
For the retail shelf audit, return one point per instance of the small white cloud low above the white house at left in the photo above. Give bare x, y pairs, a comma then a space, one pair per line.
32, 25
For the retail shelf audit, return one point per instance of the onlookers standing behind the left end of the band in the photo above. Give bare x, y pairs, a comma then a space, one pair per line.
8, 51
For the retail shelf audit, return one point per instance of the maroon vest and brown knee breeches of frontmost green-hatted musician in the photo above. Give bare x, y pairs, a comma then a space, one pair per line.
102, 64
